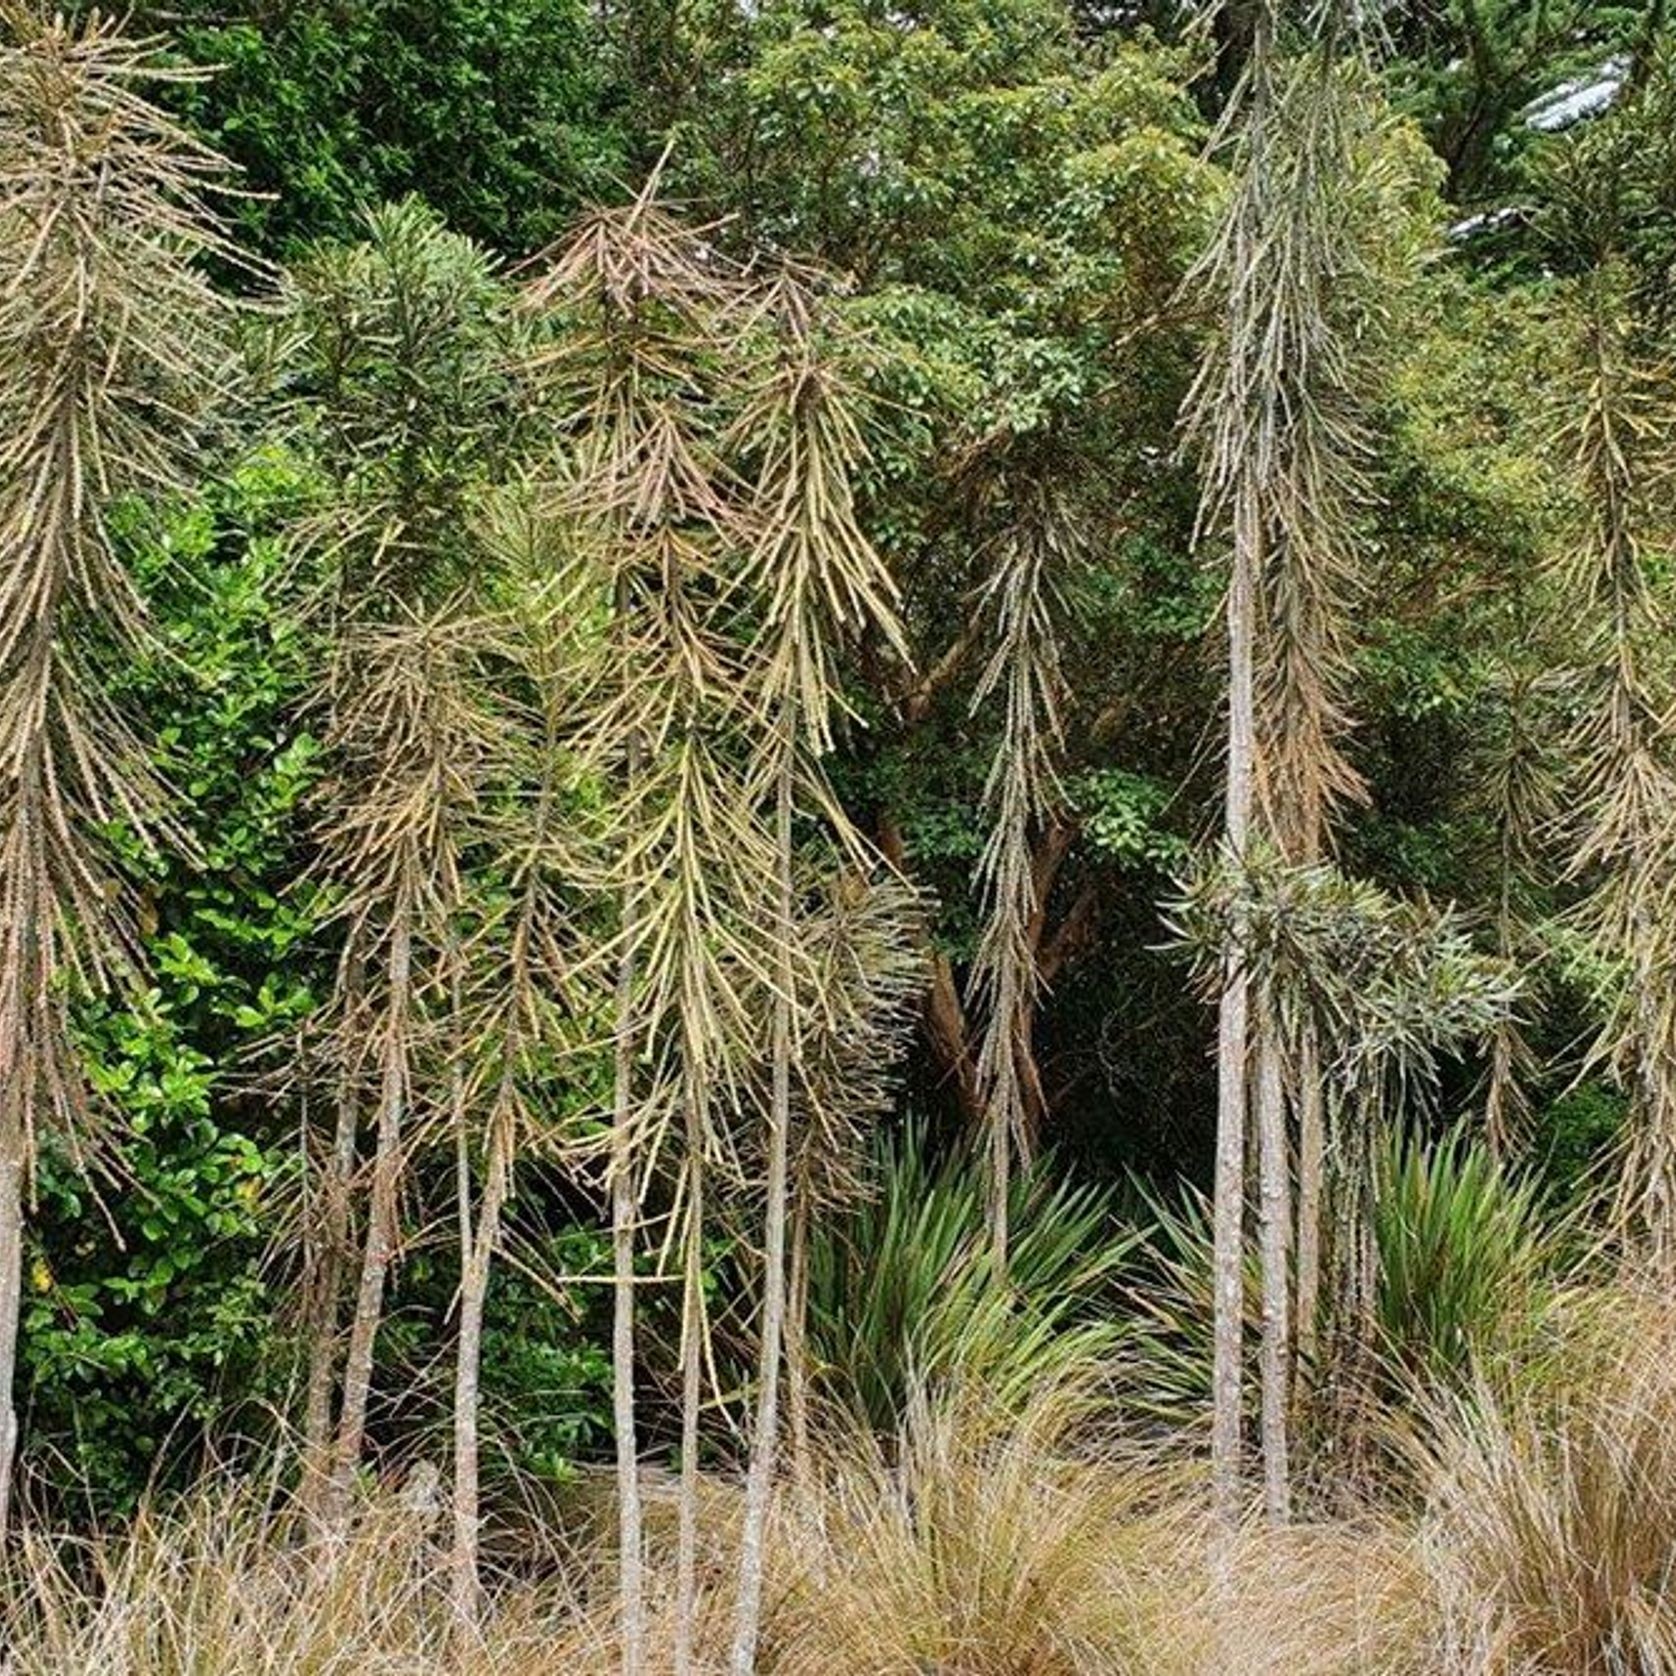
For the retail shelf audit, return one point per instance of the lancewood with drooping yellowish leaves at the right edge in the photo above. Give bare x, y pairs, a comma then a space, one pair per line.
1618, 443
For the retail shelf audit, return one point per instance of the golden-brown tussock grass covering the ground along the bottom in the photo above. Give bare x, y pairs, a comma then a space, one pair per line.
970, 1544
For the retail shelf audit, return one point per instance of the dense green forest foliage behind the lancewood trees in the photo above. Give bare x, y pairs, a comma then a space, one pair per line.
1016, 194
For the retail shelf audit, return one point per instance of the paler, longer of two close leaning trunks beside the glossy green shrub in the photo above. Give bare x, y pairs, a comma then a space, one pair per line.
381, 1233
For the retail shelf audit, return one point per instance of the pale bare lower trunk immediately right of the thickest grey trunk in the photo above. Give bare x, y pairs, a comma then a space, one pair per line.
1276, 1241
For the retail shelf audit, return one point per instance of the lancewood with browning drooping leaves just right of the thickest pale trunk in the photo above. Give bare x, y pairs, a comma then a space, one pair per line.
1311, 587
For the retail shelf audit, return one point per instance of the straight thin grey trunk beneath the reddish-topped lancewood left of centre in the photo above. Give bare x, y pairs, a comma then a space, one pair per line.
626, 1218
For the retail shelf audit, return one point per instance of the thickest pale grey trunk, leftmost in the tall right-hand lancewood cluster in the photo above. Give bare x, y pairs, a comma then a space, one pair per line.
1233, 1048
